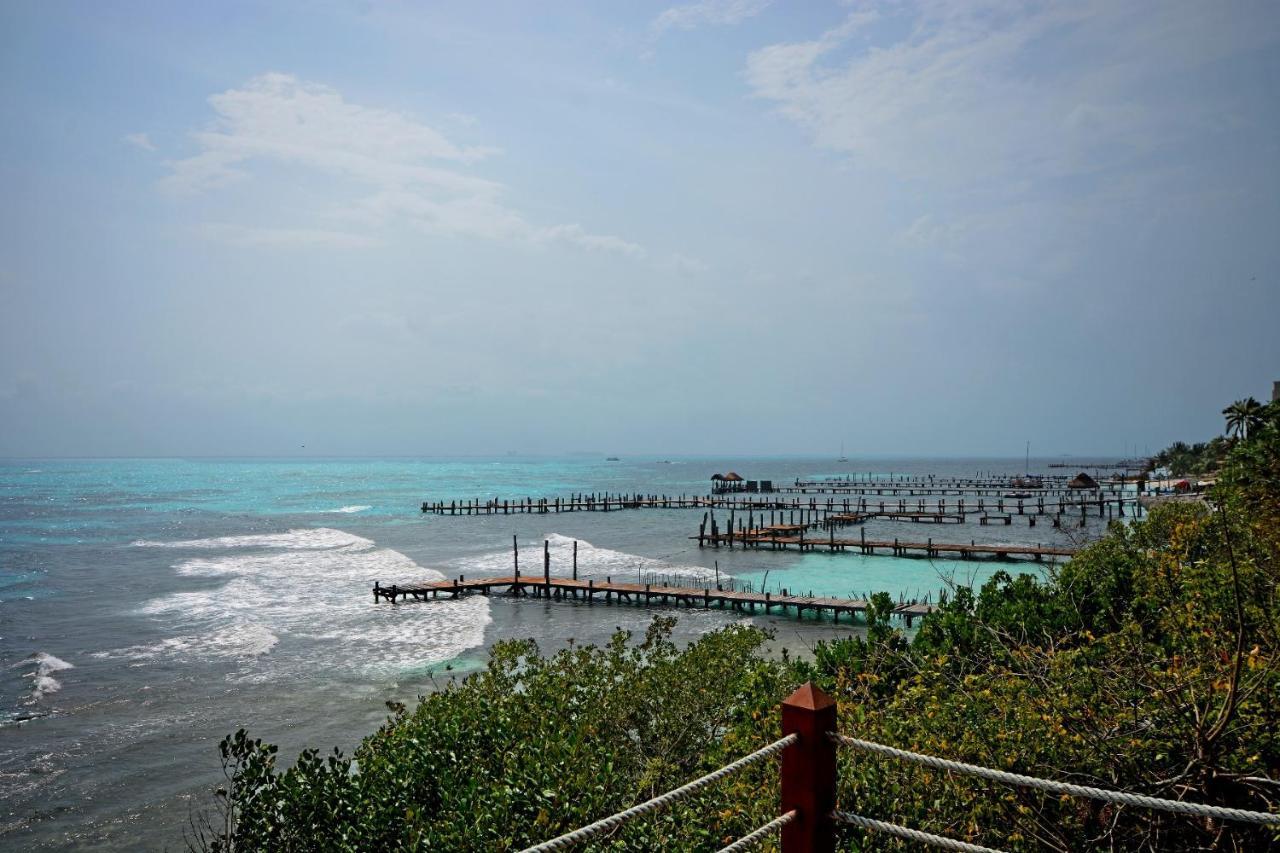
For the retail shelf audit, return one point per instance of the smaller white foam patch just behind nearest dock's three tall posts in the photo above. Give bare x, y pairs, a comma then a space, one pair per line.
592, 563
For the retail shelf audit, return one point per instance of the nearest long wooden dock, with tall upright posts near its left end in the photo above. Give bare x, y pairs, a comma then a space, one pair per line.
648, 595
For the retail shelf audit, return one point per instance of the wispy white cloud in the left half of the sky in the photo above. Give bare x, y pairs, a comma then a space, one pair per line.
392, 168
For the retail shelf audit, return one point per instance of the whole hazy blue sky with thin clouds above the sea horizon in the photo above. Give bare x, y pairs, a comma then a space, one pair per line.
733, 226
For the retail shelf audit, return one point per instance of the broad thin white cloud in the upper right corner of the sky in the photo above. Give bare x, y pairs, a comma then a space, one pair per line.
967, 90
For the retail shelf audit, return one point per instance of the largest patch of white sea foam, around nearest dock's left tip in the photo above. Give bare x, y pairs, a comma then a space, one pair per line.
300, 604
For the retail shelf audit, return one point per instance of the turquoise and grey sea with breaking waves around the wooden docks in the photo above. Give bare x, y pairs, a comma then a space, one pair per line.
148, 608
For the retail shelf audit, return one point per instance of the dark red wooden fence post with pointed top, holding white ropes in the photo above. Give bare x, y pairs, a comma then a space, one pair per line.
810, 772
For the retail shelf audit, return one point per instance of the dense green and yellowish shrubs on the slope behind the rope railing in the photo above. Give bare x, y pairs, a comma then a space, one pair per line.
1149, 663
